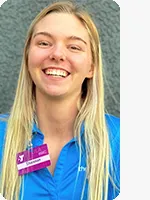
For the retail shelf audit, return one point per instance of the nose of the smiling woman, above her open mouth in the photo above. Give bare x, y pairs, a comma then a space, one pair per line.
57, 53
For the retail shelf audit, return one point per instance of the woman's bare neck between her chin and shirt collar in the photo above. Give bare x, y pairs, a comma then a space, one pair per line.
56, 117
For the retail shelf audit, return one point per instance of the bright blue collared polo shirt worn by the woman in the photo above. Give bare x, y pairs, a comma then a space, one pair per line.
69, 176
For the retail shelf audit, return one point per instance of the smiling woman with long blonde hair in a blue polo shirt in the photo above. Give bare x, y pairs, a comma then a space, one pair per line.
59, 102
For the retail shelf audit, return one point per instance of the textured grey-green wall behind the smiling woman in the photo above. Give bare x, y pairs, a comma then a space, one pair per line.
16, 16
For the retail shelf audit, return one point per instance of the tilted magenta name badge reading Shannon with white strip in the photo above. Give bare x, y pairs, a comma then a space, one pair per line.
33, 159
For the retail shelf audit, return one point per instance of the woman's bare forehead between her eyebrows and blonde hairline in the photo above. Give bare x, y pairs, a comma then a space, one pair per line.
62, 24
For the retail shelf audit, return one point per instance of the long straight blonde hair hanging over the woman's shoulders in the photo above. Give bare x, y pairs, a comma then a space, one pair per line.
19, 128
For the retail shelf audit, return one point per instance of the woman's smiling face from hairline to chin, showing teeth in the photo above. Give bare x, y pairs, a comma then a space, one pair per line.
59, 55
